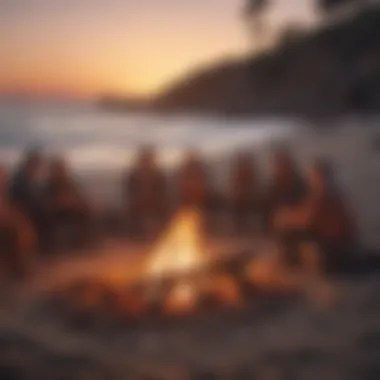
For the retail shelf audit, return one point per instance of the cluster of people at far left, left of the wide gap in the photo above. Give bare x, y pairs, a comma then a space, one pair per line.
37, 201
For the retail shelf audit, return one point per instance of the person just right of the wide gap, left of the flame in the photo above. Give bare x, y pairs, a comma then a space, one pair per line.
145, 194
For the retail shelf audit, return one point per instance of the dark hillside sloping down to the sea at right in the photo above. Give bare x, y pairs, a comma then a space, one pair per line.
328, 71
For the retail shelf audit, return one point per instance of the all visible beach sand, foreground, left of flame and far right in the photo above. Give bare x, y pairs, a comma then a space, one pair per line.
298, 338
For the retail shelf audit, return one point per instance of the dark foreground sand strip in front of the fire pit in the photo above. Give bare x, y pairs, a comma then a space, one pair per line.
340, 342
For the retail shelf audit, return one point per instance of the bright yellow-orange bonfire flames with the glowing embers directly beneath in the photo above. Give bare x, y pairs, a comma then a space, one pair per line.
181, 255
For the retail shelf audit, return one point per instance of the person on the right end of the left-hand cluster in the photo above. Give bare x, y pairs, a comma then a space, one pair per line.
67, 207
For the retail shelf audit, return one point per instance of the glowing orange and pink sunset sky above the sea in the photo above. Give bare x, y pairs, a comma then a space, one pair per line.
84, 48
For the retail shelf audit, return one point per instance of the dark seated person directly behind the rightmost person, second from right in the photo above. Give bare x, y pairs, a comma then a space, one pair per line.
286, 187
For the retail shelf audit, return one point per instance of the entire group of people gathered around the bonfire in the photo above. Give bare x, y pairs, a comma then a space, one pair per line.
42, 199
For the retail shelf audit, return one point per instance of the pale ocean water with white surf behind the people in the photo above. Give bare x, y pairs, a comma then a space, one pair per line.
99, 144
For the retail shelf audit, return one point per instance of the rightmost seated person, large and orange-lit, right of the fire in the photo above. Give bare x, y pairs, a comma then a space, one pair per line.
322, 223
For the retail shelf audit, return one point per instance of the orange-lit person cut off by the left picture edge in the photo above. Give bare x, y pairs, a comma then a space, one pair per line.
17, 235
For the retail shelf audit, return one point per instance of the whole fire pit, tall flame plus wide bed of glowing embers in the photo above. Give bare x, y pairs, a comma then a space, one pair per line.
179, 279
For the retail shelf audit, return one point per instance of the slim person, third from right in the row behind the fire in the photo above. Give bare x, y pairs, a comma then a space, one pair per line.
243, 192
